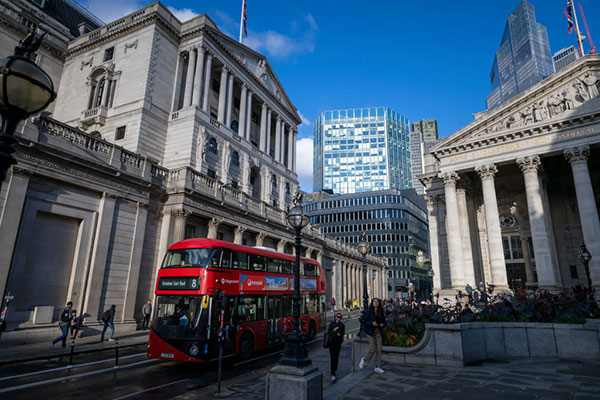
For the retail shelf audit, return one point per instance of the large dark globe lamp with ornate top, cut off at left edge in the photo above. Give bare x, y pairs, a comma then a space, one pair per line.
24, 90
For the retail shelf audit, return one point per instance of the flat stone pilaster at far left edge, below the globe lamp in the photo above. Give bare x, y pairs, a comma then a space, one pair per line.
15, 188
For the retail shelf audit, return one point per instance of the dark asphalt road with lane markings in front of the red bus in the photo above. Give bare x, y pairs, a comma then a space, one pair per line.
138, 377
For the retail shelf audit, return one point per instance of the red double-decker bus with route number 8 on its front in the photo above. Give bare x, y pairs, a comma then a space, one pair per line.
258, 285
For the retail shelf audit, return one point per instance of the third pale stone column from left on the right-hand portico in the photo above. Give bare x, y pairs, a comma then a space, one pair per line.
492, 223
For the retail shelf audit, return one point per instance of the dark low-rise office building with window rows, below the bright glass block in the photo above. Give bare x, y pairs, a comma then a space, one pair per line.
397, 230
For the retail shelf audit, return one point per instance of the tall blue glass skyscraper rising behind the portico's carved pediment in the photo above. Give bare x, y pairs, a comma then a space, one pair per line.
523, 58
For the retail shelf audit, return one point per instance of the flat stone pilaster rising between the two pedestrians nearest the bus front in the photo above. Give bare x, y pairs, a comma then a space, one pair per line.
135, 262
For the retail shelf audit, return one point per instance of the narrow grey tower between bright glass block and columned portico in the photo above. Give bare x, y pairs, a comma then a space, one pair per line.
424, 136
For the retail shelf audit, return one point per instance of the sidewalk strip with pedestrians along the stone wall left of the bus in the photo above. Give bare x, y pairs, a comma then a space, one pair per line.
14, 353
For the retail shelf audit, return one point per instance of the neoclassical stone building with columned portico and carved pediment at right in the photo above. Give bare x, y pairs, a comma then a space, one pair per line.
511, 196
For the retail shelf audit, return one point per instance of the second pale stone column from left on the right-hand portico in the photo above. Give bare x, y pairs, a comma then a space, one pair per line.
455, 249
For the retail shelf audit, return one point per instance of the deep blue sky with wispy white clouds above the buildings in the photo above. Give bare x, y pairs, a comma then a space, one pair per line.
424, 59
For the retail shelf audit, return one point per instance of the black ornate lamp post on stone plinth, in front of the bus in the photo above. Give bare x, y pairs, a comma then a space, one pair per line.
295, 353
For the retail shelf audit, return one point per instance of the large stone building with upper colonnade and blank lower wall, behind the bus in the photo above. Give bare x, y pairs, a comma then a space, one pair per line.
161, 130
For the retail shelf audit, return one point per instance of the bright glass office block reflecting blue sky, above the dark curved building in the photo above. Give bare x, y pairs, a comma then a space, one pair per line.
362, 149
